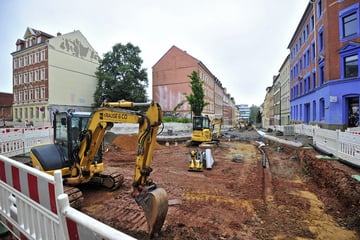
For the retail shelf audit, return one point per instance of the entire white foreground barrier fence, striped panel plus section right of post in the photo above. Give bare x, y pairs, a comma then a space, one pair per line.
33, 206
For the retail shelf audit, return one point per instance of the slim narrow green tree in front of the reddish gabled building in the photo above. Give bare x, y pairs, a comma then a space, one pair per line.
196, 97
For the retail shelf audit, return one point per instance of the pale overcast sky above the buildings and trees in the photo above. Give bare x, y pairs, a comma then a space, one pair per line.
242, 43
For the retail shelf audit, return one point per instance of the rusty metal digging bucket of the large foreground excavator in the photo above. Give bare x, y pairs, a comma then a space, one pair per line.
155, 206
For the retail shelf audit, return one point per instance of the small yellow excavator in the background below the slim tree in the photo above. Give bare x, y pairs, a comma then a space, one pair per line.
204, 130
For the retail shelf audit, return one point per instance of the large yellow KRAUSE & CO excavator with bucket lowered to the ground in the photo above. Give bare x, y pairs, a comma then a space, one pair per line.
77, 152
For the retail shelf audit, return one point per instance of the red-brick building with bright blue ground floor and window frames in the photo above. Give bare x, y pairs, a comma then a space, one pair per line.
324, 65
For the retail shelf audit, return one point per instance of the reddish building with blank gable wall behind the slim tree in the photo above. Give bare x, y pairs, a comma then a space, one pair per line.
171, 82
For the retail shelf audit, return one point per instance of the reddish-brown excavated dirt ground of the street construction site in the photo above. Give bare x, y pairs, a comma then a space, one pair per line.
296, 195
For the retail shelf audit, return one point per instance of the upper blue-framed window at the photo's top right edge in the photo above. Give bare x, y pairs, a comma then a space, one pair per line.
349, 25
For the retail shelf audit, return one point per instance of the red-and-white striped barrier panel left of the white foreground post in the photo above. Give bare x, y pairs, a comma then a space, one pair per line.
28, 201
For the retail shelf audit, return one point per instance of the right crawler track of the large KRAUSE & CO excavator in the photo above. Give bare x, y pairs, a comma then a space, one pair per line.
108, 180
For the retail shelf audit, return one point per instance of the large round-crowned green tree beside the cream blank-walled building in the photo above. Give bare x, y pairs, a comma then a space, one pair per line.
120, 75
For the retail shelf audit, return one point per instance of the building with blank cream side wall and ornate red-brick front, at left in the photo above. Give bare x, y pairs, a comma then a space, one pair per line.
52, 73
